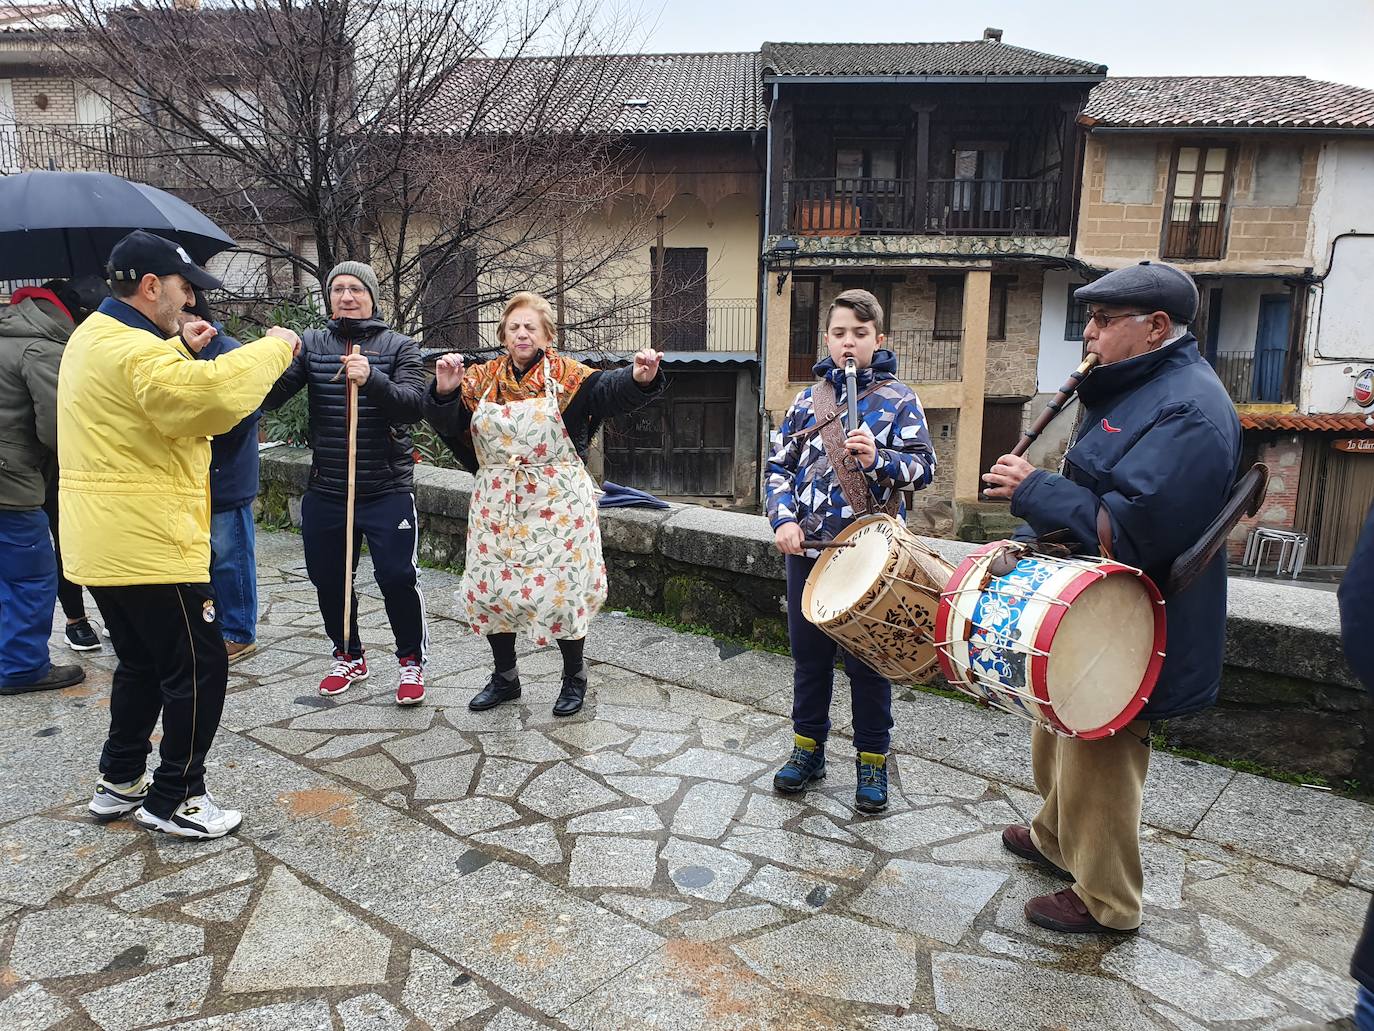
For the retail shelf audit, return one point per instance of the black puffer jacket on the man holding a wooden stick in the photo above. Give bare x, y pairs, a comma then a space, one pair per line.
391, 401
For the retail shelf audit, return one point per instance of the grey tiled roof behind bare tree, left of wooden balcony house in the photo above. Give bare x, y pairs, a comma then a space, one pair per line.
616, 94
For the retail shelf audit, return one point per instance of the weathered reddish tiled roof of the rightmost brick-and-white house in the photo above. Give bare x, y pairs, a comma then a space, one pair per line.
1254, 102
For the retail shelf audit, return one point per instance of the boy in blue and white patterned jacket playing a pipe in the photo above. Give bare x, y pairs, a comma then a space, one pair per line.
891, 453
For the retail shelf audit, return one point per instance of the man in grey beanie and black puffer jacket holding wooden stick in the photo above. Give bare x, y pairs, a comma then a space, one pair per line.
391, 394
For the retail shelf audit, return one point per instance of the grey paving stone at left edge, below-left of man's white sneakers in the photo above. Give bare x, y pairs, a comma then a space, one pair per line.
46, 856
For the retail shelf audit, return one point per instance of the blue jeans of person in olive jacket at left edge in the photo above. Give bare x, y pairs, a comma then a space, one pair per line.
28, 593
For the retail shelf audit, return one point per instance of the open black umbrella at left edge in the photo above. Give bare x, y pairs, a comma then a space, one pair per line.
67, 223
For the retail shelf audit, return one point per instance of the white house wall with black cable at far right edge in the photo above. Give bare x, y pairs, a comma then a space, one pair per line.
1340, 328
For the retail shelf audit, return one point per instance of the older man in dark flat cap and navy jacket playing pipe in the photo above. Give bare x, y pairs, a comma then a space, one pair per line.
1155, 457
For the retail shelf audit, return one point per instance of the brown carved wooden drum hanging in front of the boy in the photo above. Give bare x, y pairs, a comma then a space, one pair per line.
876, 593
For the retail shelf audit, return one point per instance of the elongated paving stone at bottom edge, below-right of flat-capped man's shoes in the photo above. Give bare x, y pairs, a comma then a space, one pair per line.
1188, 985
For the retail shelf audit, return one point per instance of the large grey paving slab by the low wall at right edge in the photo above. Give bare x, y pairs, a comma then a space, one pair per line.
1318, 832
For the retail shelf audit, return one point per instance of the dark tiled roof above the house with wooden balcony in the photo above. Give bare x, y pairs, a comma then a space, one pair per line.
961, 58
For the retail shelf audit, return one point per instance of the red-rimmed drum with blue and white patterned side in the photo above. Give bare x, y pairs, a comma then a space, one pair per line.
1074, 644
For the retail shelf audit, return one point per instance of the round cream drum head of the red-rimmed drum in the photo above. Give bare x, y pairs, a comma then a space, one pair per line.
1101, 651
